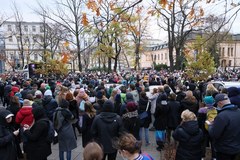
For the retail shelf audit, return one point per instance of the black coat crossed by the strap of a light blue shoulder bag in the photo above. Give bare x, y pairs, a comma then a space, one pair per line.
143, 102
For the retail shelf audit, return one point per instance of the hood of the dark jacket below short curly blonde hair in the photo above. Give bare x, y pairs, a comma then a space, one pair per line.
191, 127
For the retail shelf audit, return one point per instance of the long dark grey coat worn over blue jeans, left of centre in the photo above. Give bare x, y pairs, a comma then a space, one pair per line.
66, 137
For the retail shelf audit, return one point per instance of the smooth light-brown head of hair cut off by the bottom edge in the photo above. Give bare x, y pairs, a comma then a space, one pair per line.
92, 151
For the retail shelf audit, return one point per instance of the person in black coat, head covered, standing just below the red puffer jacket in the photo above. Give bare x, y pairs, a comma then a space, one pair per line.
38, 146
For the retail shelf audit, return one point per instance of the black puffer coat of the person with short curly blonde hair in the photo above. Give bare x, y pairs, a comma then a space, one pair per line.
190, 138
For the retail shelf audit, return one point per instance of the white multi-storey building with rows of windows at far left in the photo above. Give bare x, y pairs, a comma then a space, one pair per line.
29, 40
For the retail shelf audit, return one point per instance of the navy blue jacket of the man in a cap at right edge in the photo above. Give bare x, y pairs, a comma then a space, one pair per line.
225, 130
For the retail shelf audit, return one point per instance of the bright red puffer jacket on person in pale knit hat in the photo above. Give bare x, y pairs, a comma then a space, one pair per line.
24, 116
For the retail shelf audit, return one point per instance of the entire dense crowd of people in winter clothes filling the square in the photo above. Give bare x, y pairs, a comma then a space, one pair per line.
116, 120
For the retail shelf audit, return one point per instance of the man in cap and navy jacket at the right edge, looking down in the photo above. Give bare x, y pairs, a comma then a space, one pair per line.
225, 129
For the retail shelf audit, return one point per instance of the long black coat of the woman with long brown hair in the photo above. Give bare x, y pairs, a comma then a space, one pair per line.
86, 129
